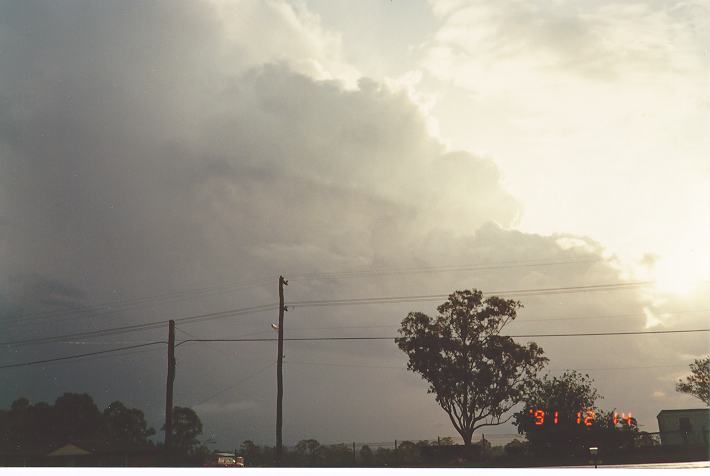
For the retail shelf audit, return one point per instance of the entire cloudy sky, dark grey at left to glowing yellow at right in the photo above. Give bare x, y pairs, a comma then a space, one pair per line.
161, 160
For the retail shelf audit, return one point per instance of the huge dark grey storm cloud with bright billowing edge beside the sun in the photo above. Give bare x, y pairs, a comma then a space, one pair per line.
149, 148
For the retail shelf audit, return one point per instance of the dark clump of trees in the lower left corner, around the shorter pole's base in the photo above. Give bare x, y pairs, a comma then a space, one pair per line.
75, 432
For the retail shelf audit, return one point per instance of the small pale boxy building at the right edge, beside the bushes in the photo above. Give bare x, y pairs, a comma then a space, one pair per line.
684, 427
